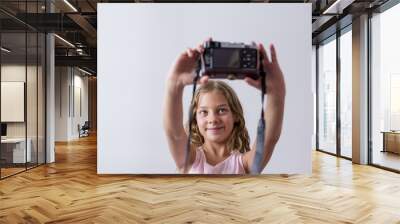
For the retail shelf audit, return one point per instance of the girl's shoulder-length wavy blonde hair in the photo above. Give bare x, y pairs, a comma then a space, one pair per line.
239, 138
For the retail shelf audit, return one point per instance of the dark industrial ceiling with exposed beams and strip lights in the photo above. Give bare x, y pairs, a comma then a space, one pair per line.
76, 22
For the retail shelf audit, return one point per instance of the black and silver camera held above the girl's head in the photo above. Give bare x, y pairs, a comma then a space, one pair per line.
225, 60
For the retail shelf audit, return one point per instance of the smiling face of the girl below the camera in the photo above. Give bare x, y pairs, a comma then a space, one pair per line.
214, 117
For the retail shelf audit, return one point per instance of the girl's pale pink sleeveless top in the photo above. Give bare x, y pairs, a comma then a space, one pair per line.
231, 165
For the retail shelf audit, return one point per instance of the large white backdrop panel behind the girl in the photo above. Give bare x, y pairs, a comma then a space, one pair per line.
137, 43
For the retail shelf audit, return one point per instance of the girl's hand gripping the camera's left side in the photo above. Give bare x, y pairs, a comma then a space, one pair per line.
182, 72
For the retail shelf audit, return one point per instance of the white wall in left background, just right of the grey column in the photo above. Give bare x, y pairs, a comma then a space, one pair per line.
68, 81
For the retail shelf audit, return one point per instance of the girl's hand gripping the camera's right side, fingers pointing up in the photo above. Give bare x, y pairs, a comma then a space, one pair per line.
274, 81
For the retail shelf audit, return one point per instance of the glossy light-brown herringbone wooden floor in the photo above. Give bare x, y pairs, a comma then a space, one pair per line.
70, 191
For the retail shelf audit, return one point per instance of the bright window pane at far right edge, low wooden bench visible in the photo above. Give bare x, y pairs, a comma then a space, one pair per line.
385, 88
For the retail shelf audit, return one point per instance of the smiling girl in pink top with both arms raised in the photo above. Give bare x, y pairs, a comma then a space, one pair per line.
220, 141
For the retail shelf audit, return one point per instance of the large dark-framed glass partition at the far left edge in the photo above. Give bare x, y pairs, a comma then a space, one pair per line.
22, 77
